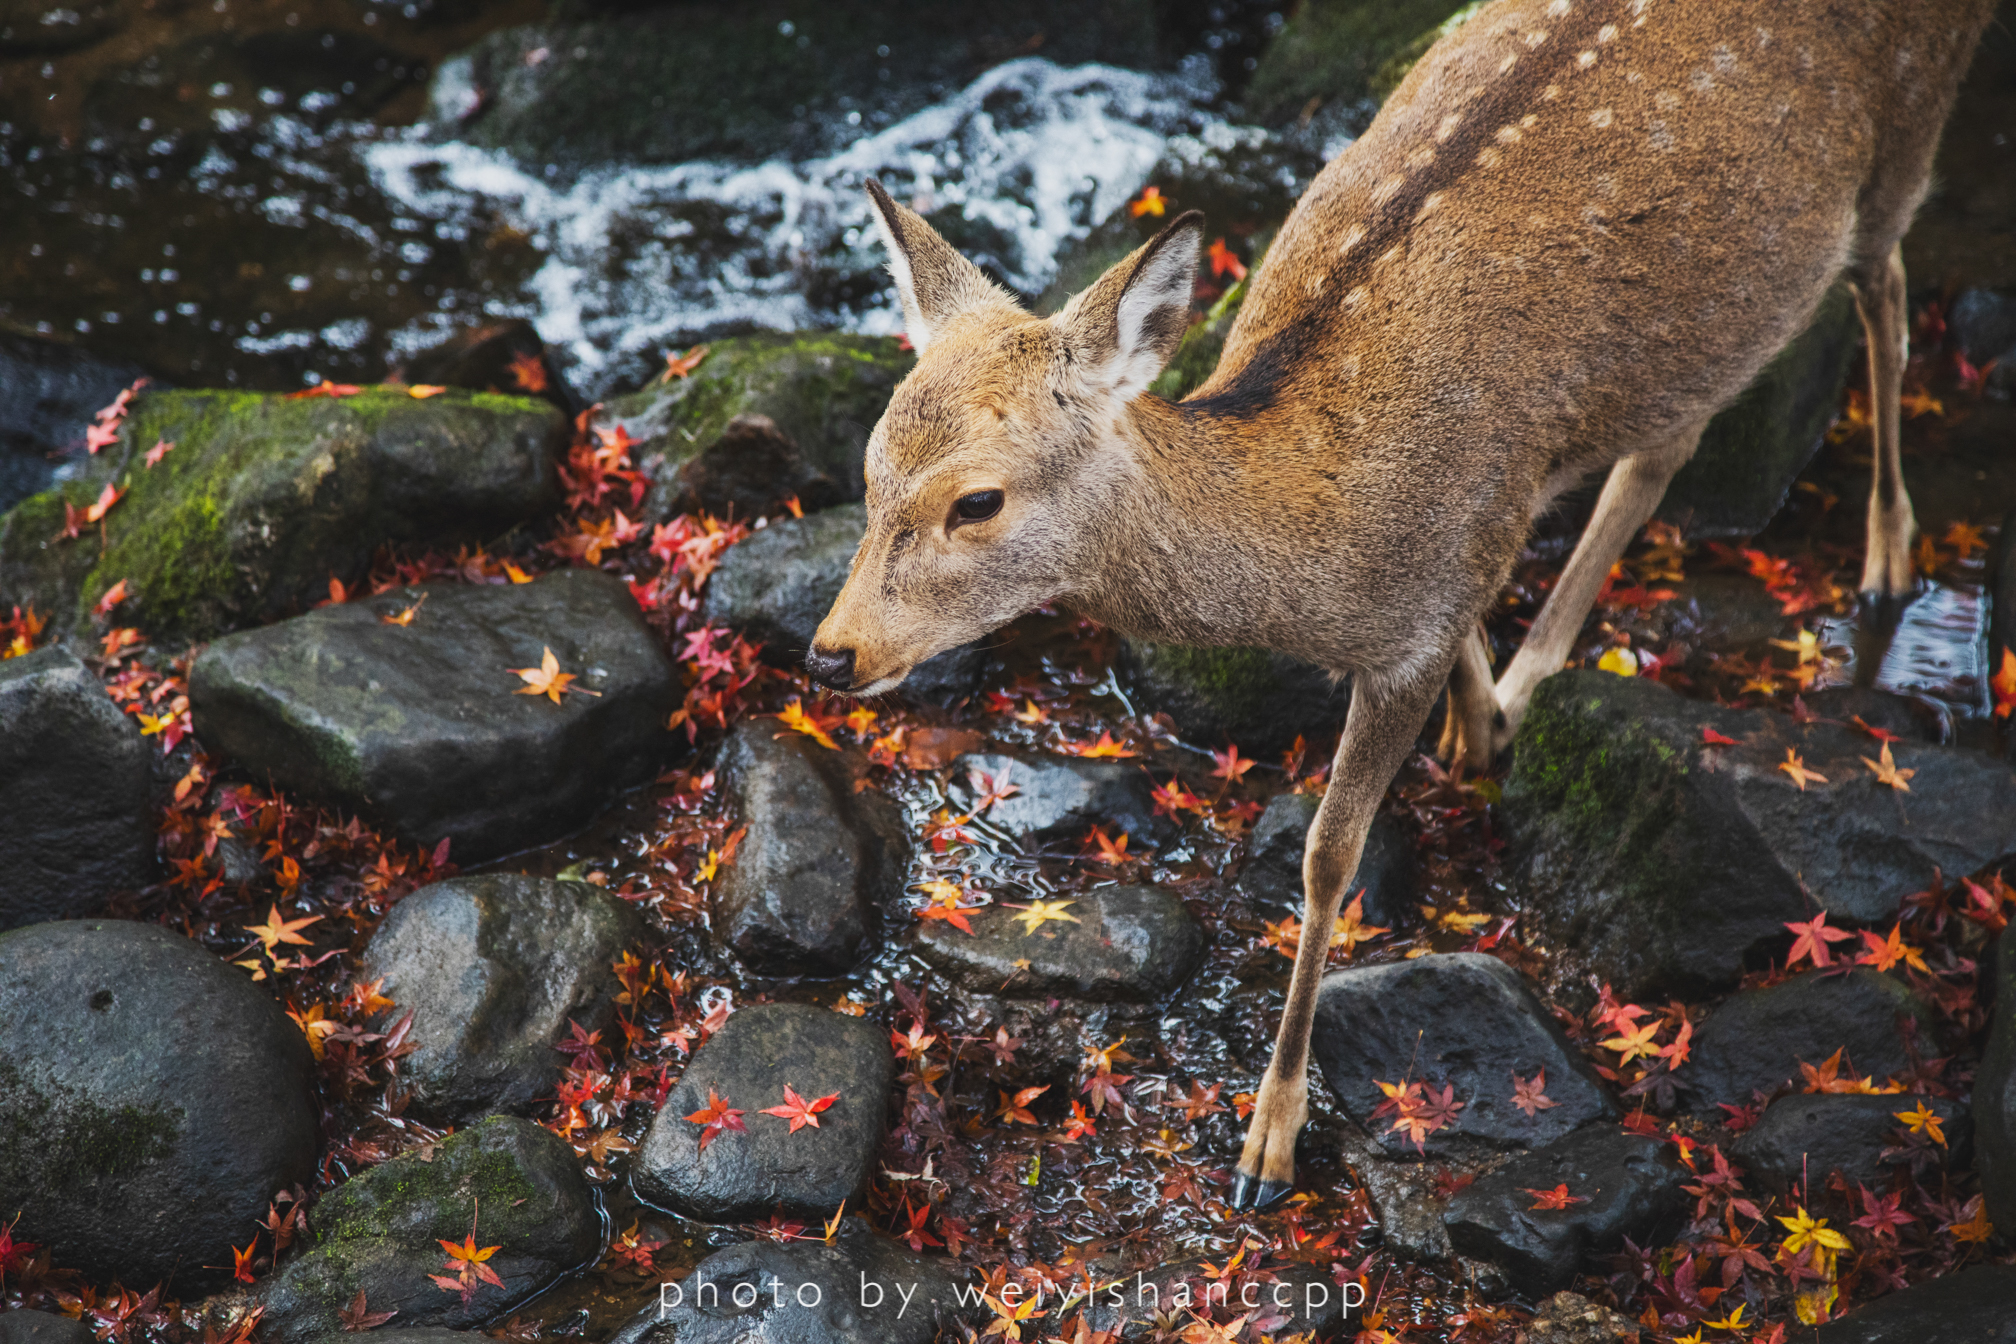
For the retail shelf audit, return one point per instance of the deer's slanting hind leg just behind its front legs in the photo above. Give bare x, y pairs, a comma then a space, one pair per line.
1626, 505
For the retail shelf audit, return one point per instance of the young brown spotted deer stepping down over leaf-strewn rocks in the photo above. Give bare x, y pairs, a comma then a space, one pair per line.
1573, 235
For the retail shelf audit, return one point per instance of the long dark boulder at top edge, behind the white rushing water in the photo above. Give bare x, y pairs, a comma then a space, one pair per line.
727, 88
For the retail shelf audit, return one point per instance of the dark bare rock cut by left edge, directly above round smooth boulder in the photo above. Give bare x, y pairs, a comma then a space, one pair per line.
74, 791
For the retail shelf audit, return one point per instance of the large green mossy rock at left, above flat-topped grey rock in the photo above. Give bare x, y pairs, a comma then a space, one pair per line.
265, 499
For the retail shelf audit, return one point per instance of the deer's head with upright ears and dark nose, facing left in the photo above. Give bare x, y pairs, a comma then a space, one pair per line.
999, 460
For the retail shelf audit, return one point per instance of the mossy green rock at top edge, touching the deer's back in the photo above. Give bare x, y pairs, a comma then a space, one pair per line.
1340, 51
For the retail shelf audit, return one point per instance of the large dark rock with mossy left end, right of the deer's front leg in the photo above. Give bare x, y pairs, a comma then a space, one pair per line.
1664, 865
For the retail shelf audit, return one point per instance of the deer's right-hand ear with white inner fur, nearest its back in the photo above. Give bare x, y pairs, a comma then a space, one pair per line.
1132, 319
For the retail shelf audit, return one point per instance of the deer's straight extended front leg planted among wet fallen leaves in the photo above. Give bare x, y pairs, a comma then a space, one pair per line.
1380, 730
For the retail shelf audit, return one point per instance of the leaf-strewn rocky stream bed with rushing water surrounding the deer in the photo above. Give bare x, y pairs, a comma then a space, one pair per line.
434, 900
